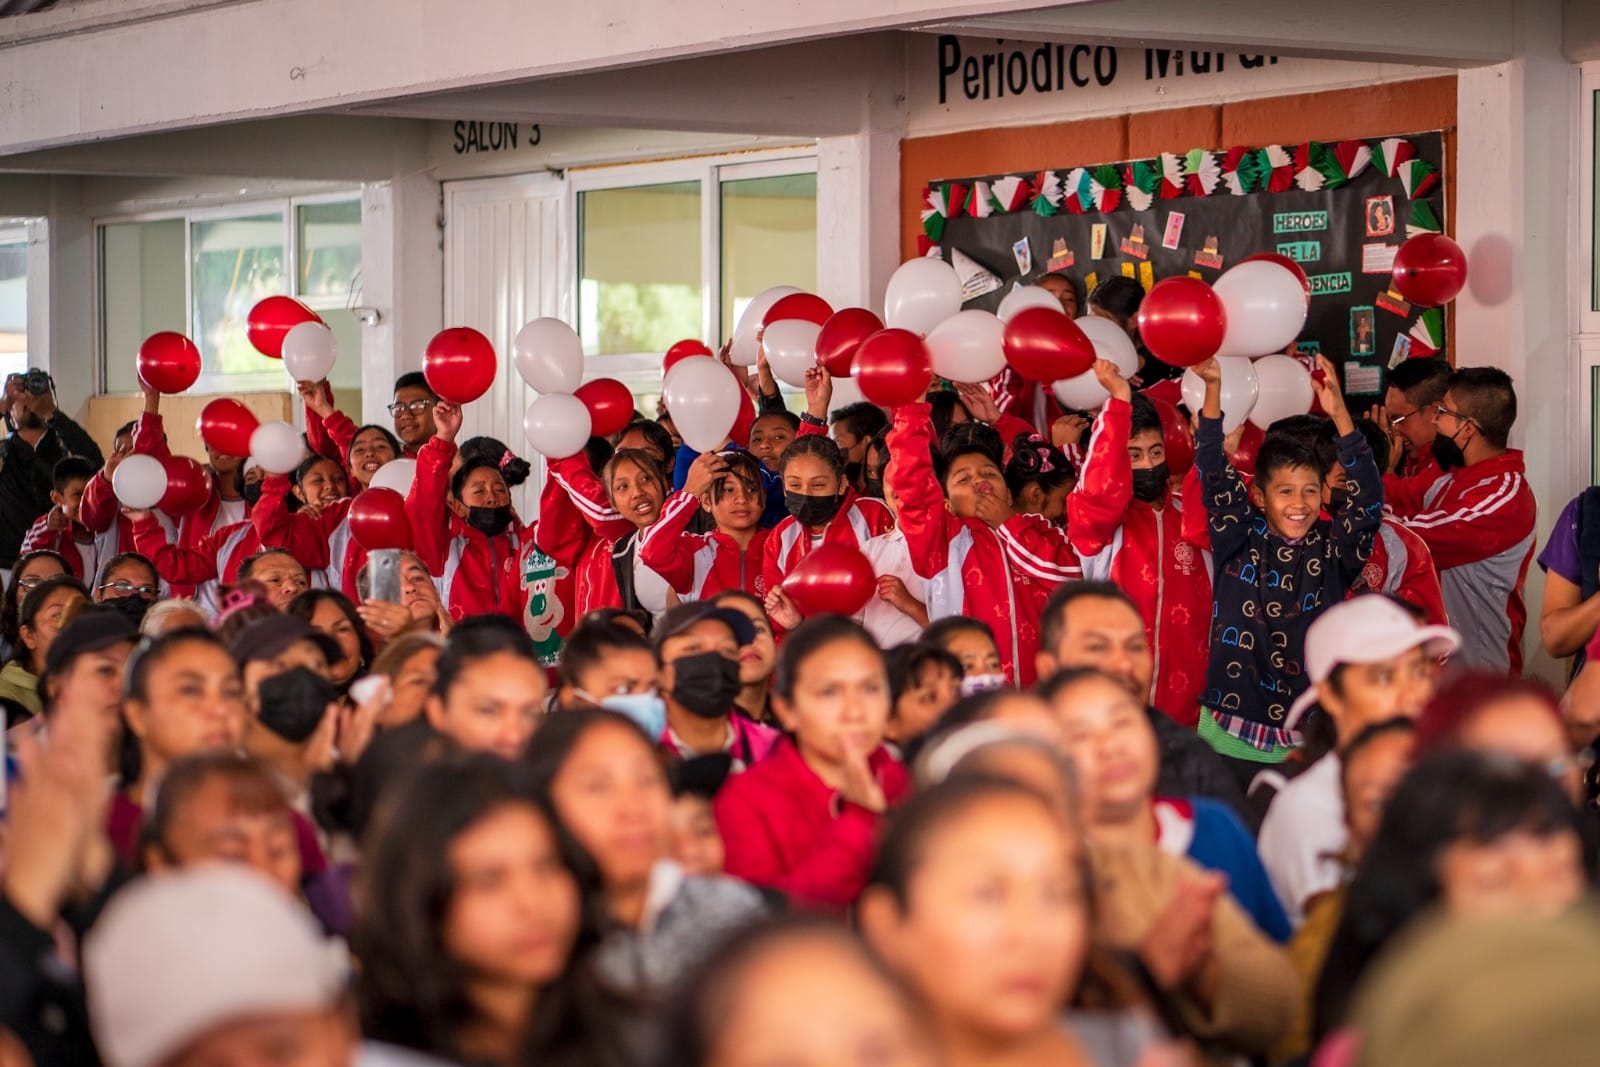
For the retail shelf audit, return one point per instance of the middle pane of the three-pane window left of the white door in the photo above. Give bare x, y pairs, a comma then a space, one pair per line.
236, 263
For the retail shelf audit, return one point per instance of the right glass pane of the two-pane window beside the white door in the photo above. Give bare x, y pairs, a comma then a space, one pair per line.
769, 238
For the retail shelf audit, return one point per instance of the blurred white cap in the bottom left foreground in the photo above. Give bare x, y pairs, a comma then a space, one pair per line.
180, 954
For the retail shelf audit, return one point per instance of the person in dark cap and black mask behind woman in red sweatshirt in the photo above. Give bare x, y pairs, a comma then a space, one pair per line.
698, 645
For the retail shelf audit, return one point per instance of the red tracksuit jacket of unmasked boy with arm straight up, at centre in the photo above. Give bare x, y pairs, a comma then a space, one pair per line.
1001, 577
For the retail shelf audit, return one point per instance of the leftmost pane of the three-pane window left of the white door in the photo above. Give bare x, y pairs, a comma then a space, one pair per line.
143, 292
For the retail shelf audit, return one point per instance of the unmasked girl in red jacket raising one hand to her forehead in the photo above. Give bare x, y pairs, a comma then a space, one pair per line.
698, 567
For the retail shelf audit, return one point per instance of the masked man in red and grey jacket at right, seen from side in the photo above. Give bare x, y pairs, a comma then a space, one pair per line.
1478, 518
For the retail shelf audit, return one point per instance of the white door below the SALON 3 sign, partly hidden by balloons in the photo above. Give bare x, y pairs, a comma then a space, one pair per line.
505, 265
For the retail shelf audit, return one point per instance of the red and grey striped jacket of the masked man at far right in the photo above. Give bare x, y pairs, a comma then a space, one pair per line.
1479, 526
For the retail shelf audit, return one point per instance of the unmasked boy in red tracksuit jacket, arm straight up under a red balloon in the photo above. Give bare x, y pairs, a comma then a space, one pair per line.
980, 557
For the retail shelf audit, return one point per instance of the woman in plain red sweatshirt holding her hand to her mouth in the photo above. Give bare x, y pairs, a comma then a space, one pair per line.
804, 820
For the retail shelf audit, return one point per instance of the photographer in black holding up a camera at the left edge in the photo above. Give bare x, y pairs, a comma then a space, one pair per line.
38, 436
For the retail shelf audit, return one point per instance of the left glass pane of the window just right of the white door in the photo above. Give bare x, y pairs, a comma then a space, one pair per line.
639, 262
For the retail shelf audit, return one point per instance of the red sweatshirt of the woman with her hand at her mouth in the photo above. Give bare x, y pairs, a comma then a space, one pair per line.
783, 828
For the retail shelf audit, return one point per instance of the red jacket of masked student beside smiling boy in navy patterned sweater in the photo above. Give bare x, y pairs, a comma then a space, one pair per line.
1143, 549
